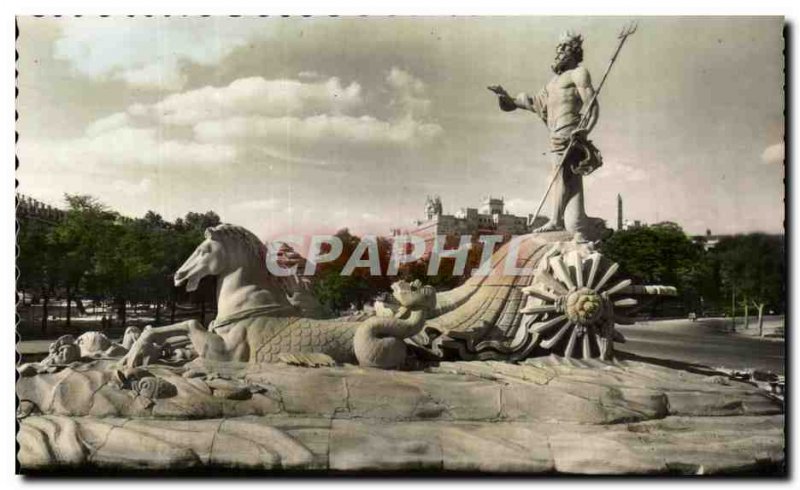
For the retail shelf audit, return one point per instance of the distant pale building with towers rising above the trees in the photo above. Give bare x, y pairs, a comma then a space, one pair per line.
489, 219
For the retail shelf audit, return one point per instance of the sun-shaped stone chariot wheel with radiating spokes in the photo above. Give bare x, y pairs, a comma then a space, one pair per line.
573, 305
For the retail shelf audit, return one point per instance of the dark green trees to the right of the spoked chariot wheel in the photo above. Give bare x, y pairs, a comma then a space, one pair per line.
736, 274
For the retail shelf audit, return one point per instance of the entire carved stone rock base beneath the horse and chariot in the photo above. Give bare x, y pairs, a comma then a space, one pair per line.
542, 416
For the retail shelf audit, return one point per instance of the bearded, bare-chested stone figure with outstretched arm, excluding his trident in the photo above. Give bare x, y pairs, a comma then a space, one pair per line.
559, 105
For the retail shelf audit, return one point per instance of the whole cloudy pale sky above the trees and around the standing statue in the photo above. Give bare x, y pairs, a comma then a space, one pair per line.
308, 125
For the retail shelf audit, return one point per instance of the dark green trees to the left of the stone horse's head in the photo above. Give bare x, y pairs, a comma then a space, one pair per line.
95, 253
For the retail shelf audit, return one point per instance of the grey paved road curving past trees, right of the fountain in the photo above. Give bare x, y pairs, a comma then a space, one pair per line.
702, 342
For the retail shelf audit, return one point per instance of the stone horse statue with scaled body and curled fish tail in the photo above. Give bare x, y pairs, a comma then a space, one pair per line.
256, 323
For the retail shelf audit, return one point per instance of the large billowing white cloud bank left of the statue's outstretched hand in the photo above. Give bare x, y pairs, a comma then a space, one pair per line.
291, 120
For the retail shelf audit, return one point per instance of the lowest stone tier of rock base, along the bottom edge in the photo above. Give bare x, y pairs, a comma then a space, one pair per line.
684, 445
